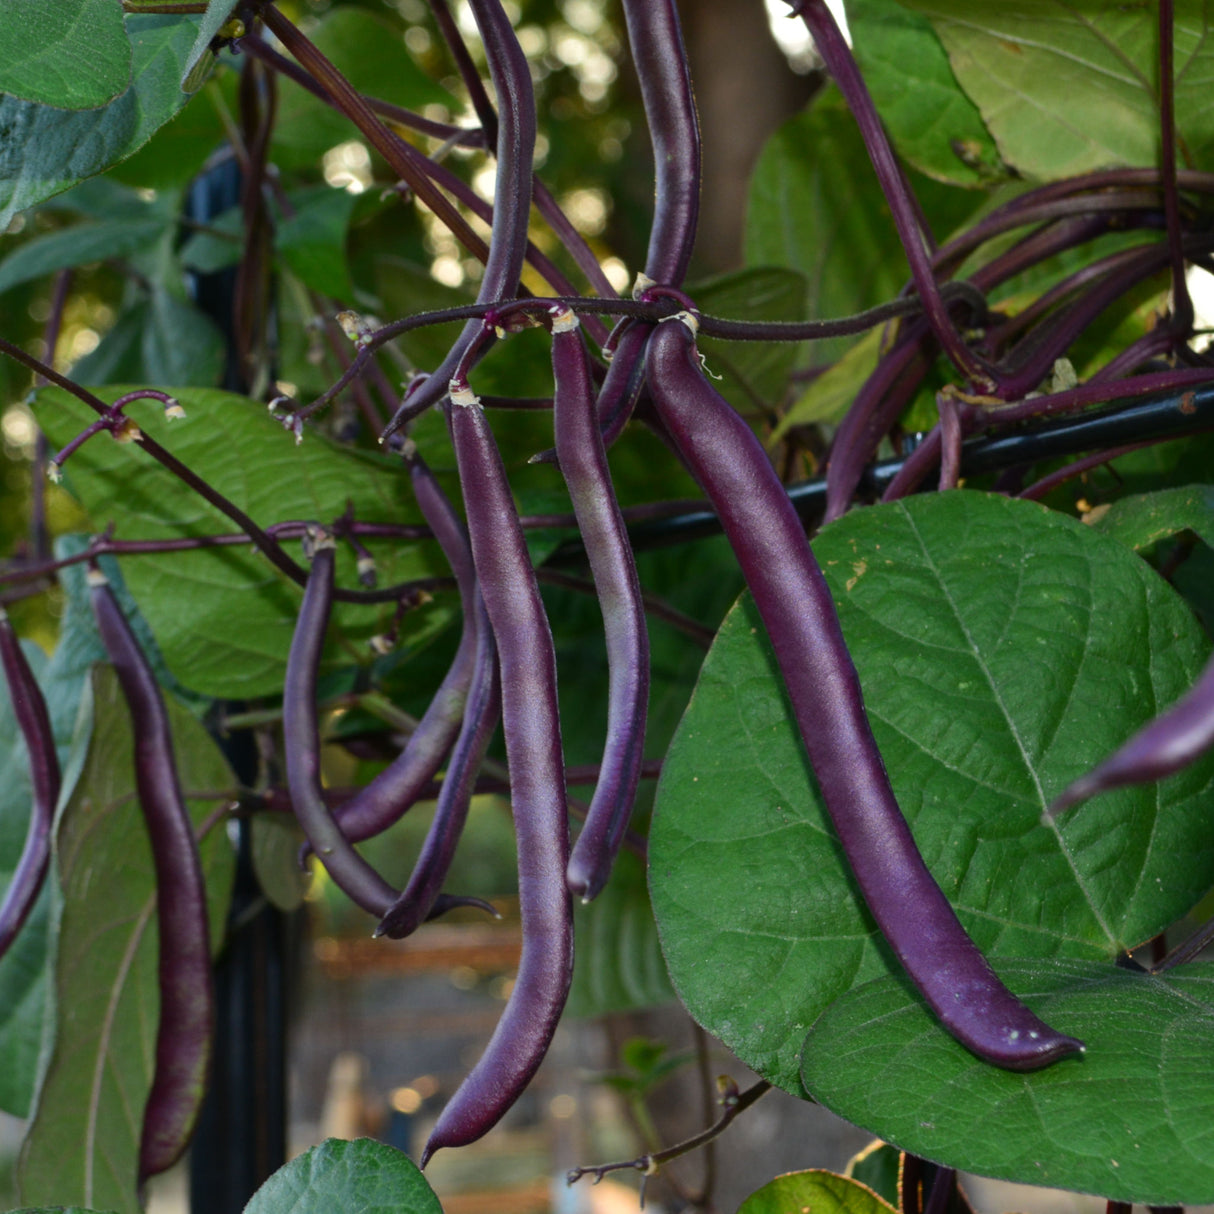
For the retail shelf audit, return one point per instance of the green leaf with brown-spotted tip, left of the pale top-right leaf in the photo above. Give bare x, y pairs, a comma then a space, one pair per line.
933, 123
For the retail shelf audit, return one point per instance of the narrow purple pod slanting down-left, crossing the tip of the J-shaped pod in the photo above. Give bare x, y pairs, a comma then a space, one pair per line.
413, 907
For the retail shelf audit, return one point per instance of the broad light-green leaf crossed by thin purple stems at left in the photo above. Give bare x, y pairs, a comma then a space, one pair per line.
224, 617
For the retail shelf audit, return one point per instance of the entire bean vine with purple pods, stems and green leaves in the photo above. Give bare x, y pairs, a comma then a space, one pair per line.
931, 841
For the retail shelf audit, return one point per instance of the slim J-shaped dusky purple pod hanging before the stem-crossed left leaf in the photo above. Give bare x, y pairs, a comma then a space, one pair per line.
302, 742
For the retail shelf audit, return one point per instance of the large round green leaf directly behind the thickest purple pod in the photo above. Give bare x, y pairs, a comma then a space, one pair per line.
985, 631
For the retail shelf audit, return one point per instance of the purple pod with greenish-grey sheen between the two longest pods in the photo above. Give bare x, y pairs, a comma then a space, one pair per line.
583, 459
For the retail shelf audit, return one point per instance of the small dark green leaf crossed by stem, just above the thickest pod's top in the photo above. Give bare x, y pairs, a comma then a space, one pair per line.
755, 373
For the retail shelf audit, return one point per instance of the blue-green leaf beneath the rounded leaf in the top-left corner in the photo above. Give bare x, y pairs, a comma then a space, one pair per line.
46, 151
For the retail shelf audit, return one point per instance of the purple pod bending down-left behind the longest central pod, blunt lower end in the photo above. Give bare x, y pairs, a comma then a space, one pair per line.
394, 791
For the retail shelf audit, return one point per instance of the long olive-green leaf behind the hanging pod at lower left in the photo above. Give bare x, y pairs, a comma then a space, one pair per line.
83, 1143
